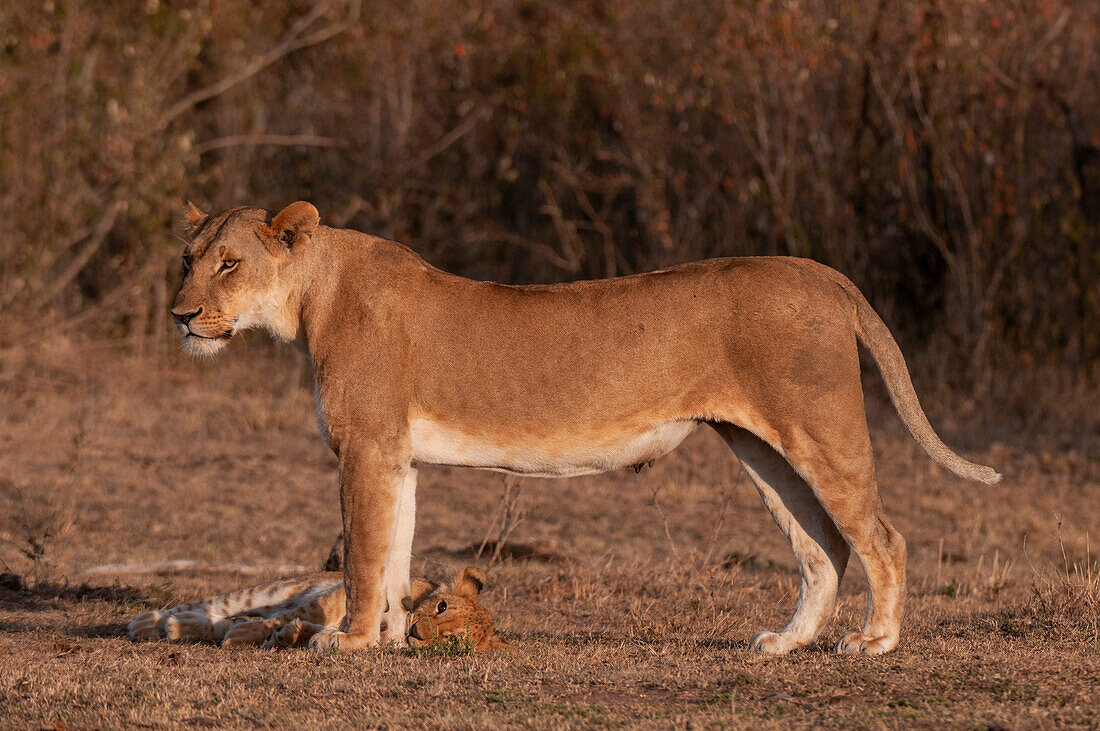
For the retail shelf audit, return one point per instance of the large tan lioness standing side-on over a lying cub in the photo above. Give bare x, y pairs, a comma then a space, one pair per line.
415, 365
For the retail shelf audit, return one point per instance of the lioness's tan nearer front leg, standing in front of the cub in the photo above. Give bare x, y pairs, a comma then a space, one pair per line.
371, 479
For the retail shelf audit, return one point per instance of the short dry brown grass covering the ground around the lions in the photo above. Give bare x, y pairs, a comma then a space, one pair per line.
668, 573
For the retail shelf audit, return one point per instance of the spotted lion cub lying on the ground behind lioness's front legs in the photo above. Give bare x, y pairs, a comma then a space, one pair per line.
287, 614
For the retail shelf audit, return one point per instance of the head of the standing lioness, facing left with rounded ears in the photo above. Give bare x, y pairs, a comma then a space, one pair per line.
237, 273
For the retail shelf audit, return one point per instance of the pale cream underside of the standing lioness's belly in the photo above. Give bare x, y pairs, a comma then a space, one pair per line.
562, 456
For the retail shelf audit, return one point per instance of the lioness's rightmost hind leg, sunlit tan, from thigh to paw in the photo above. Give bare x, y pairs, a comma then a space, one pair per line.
842, 474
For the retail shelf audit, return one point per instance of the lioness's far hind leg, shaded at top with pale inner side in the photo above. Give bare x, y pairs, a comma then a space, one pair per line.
819, 548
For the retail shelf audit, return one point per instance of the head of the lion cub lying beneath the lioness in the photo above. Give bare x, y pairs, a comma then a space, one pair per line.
441, 613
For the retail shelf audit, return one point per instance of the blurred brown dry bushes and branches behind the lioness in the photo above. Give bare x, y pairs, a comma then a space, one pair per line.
944, 156
